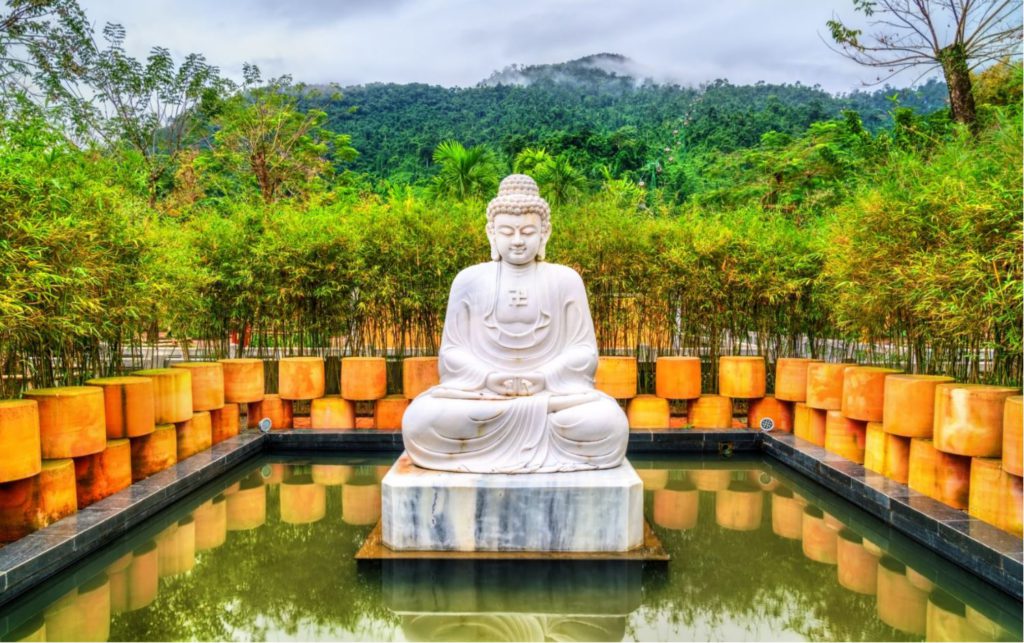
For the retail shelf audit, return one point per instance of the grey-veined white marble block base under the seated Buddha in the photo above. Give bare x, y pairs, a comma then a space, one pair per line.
581, 511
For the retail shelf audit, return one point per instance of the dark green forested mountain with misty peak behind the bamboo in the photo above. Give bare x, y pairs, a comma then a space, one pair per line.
594, 111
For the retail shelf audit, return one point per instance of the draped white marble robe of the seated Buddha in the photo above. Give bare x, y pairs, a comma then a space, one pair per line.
460, 425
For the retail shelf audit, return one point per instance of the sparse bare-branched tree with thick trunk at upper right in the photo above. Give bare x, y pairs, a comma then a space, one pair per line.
957, 36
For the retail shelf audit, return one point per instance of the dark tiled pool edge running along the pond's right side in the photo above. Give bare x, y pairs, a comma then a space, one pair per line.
976, 546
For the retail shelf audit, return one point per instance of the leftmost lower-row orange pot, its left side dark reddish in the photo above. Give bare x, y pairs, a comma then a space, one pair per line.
36, 502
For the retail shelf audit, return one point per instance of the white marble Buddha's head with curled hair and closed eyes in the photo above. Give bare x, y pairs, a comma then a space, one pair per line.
519, 222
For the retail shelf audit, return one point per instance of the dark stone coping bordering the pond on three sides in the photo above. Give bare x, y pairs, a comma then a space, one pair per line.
991, 553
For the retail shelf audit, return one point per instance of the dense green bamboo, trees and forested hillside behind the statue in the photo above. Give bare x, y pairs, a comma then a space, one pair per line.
705, 222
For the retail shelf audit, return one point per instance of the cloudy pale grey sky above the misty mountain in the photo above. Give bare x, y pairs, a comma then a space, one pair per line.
461, 42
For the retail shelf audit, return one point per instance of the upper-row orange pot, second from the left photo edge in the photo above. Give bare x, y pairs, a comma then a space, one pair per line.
71, 421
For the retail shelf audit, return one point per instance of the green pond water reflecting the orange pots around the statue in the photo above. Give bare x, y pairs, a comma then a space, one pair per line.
267, 553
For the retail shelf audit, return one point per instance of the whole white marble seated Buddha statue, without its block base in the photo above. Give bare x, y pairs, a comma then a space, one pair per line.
518, 361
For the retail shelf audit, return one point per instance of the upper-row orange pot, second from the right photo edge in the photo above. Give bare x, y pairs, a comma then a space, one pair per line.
969, 419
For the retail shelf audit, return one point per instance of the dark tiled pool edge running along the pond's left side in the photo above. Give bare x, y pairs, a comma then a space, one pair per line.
34, 559
